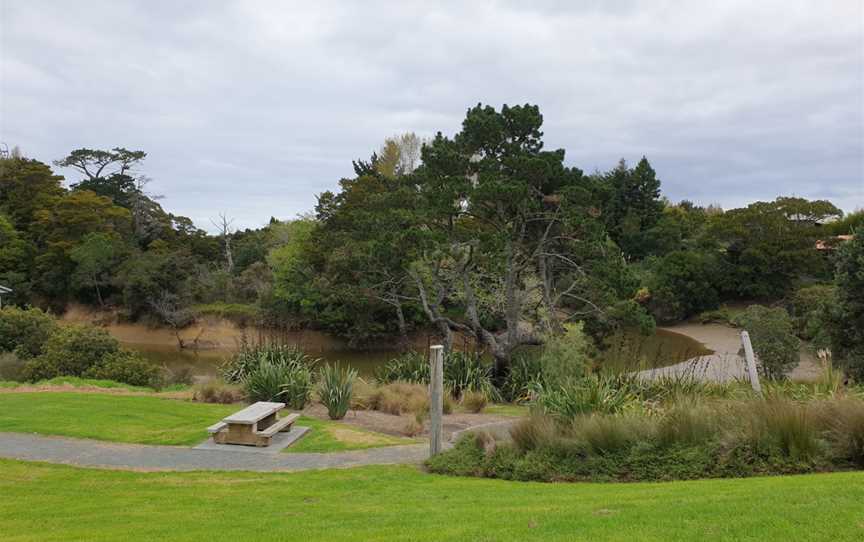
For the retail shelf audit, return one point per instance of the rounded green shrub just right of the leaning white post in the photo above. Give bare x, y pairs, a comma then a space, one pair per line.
773, 339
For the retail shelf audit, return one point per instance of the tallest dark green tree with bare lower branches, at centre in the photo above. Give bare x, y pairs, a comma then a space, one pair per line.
499, 225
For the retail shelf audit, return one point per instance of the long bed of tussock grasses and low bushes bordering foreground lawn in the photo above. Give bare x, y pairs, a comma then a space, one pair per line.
690, 440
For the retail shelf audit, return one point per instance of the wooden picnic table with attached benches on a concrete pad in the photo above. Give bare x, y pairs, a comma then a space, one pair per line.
255, 425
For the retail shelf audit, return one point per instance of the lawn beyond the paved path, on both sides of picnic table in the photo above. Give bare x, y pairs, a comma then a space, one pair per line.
153, 420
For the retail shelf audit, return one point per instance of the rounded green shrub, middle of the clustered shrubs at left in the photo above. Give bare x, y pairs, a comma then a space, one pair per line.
71, 351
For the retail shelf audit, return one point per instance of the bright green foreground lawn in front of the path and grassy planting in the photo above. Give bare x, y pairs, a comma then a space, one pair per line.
48, 502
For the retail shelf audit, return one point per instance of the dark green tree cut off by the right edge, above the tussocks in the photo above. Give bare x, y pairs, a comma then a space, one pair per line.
847, 327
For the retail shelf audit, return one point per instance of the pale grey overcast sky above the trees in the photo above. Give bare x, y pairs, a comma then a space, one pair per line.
253, 108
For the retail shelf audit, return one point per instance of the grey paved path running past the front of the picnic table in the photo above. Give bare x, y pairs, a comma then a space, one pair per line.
93, 453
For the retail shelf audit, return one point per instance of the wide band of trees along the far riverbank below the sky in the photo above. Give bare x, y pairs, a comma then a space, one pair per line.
485, 232
